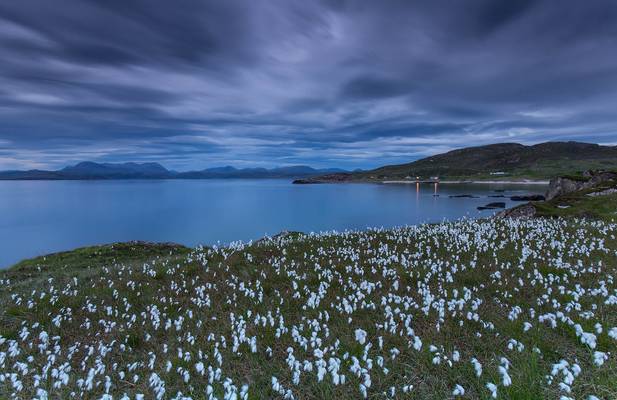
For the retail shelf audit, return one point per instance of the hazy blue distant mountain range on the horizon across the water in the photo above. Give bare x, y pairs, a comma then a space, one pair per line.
91, 170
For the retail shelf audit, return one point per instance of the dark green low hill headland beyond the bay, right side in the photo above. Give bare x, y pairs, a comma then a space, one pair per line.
494, 162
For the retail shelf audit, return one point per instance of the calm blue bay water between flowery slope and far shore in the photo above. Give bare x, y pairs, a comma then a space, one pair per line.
40, 217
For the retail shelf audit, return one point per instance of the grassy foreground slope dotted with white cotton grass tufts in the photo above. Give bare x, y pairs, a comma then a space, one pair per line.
315, 291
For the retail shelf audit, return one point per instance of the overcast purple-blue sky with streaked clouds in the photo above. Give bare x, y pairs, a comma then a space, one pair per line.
353, 84
